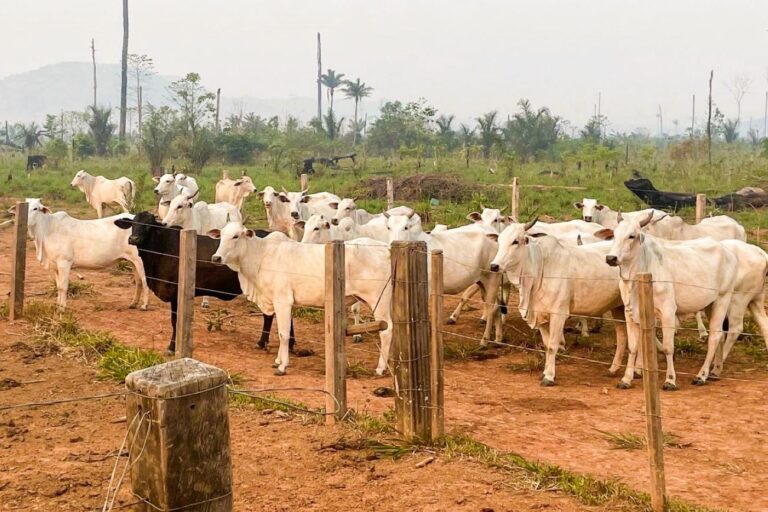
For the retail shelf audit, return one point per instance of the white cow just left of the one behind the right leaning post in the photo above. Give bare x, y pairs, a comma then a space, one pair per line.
557, 281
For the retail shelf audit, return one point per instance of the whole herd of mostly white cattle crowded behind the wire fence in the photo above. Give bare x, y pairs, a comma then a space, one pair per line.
581, 268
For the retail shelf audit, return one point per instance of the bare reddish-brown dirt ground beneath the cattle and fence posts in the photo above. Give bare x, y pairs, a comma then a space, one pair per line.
724, 425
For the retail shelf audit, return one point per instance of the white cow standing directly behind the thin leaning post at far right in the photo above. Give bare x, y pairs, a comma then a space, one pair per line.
688, 276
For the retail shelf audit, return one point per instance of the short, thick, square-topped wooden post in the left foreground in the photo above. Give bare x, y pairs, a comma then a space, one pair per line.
178, 430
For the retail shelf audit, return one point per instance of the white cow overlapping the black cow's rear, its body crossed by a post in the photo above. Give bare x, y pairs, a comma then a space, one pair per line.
277, 273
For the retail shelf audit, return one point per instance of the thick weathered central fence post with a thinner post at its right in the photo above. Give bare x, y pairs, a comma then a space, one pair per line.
410, 339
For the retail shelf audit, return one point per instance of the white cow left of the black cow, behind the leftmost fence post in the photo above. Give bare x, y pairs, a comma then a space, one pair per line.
63, 243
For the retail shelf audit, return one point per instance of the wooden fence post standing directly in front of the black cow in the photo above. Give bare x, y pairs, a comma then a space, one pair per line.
186, 292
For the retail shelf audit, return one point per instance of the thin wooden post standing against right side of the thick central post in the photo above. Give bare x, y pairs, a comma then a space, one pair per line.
437, 388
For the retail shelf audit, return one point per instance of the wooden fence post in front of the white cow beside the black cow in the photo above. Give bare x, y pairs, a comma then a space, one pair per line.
335, 329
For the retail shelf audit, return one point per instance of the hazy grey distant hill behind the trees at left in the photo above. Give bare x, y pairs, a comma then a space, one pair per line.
31, 95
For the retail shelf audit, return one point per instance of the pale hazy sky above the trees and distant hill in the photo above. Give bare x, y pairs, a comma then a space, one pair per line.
465, 57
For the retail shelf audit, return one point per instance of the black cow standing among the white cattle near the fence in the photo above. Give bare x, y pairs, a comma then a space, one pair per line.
159, 251
